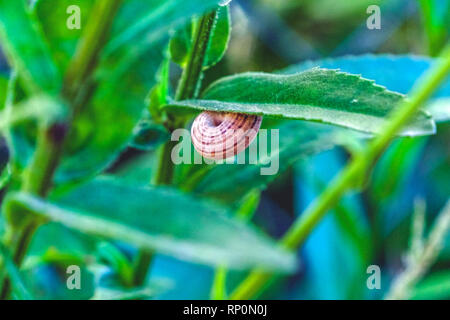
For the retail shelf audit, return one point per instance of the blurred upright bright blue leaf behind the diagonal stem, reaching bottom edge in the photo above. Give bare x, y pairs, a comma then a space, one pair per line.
340, 242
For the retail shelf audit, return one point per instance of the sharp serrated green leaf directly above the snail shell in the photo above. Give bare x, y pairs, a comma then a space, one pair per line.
320, 95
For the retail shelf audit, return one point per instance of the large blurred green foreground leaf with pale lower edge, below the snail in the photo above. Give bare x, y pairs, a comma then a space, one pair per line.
160, 219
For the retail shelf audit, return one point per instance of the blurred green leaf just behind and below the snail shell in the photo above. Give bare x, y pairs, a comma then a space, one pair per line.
229, 183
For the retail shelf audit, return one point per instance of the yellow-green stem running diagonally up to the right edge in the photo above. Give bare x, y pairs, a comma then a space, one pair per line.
345, 181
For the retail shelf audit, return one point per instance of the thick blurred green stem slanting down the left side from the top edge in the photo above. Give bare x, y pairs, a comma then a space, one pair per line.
50, 144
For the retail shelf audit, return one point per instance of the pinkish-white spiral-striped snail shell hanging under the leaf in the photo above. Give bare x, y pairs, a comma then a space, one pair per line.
218, 135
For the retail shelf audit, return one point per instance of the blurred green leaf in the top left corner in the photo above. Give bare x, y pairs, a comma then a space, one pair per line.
25, 48
